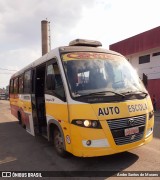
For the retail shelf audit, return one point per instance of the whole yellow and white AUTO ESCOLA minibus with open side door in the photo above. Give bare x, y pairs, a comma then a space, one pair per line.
87, 100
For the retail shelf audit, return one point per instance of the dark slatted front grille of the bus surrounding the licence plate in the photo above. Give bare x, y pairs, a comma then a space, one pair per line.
118, 126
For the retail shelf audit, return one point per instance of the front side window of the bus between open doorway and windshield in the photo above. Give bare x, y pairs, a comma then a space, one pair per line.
54, 84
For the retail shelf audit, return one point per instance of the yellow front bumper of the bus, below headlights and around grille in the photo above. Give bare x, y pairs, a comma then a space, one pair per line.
99, 142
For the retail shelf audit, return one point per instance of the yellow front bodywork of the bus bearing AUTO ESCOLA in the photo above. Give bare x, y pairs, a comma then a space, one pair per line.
90, 111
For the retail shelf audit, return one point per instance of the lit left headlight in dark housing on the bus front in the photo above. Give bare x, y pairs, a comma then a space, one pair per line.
87, 123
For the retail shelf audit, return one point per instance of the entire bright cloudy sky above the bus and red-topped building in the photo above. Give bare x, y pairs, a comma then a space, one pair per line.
108, 21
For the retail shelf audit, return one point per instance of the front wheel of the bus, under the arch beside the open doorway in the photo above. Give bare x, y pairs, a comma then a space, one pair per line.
59, 143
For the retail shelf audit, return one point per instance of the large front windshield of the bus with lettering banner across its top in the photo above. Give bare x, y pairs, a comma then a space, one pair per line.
99, 72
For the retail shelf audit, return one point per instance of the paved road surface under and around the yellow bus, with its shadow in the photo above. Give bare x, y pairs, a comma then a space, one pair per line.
20, 151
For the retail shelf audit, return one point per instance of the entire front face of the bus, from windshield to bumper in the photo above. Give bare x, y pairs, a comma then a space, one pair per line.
110, 111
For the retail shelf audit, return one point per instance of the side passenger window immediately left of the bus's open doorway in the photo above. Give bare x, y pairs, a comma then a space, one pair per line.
27, 82
